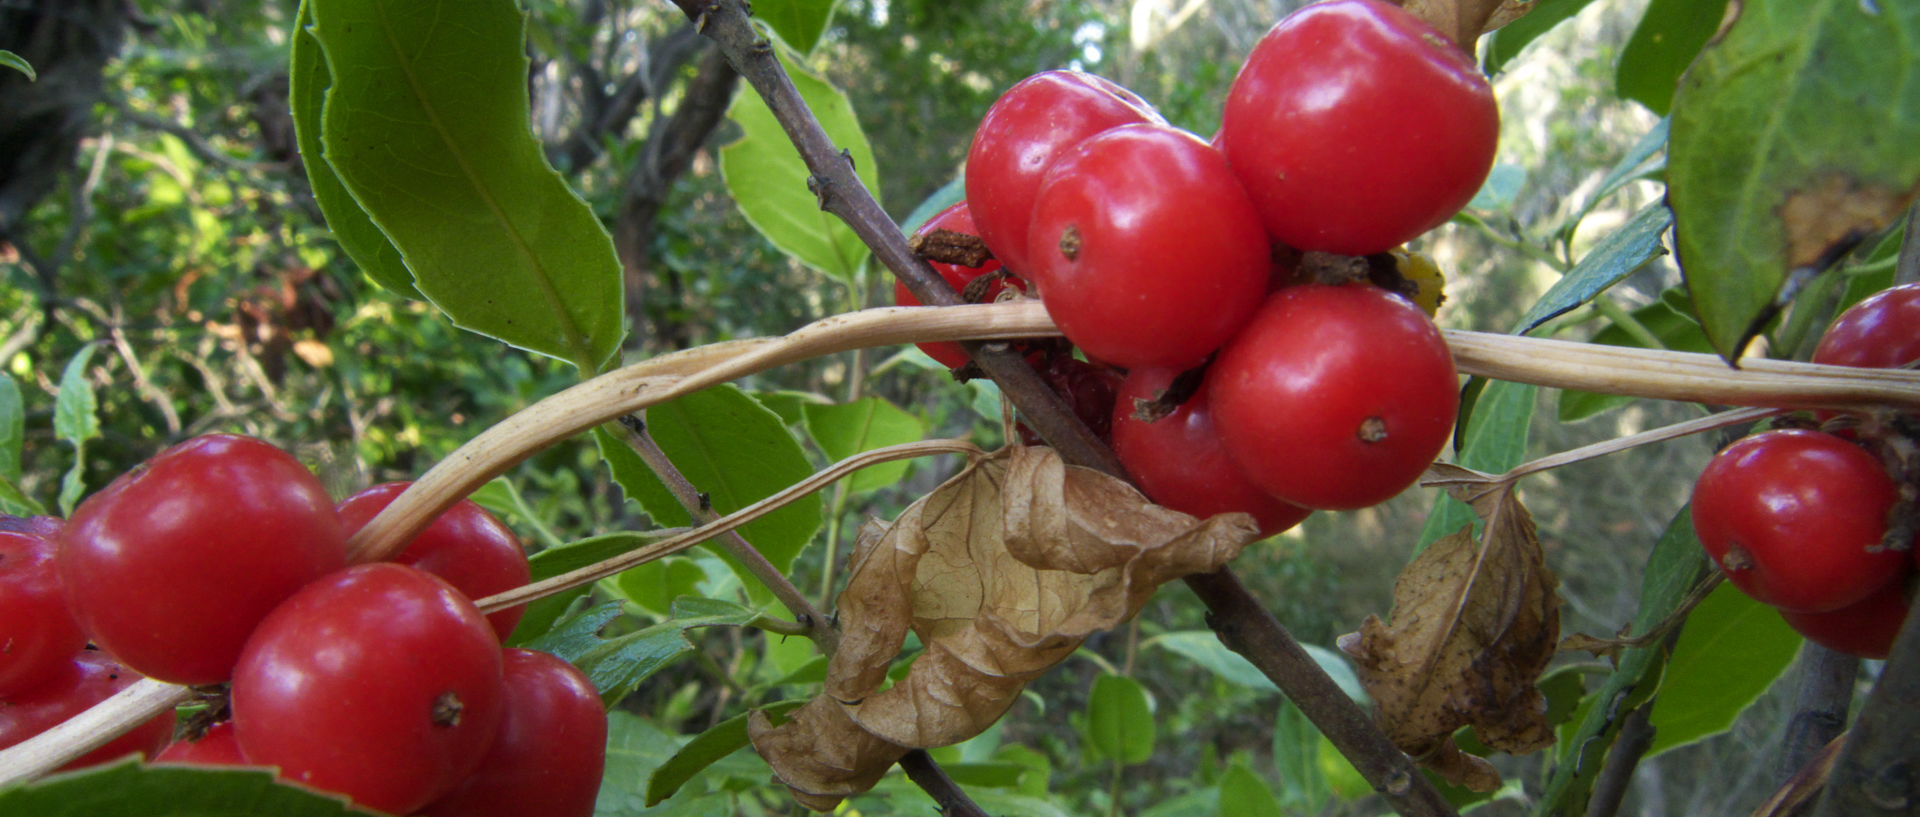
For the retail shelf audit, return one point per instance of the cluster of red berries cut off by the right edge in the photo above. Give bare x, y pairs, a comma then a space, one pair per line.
1813, 523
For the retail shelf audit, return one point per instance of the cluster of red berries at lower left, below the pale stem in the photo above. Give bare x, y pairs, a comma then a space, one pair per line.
224, 561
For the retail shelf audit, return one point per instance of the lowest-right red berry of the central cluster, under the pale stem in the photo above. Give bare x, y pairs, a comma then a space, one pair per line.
1335, 396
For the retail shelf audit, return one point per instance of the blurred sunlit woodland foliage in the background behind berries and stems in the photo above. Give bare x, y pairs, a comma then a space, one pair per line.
153, 206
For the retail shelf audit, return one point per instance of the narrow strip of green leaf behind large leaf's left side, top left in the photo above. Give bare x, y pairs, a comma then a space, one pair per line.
354, 229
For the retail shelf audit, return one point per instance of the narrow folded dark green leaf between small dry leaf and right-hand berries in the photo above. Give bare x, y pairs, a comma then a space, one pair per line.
1673, 569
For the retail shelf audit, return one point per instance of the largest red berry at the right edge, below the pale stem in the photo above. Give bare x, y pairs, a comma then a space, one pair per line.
1796, 519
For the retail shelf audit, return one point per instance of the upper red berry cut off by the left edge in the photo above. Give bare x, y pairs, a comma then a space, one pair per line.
37, 634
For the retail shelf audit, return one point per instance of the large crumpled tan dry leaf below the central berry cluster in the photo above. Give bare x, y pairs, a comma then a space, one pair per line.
1003, 572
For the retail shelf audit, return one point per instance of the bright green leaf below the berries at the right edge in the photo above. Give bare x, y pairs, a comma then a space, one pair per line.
1731, 651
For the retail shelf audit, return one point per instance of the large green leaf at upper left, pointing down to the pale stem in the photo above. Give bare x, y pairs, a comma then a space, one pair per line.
433, 137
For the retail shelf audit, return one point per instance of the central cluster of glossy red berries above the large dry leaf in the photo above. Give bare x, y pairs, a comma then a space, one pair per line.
1351, 129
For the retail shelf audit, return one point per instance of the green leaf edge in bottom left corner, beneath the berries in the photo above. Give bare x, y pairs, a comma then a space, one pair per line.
137, 791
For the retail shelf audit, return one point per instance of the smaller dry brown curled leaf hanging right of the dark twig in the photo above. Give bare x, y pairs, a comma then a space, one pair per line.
1474, 626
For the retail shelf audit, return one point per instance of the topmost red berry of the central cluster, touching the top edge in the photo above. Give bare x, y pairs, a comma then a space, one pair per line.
1358, 128
